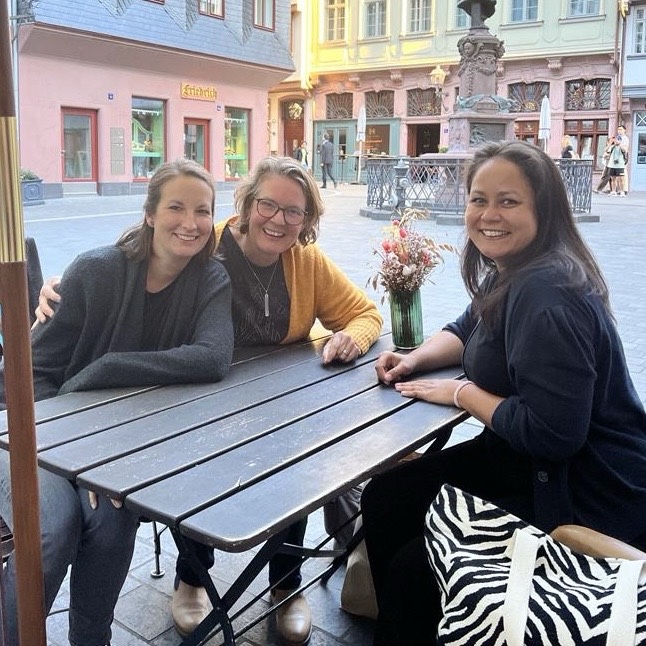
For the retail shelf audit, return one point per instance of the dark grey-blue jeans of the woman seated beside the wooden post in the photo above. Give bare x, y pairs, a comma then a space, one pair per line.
97, 543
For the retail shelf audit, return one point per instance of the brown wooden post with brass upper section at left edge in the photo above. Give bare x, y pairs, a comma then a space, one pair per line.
19, 388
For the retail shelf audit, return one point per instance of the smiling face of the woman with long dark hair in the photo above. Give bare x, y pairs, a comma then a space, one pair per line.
500, 216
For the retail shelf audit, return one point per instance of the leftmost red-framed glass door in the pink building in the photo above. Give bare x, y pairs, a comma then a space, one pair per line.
78, 151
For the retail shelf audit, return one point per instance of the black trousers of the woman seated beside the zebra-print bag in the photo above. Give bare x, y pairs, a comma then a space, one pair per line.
394, 506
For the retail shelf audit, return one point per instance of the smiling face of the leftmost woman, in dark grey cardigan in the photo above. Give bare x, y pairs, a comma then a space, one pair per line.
182, 222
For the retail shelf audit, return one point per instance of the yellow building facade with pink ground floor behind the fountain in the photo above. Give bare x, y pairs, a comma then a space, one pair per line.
399, 59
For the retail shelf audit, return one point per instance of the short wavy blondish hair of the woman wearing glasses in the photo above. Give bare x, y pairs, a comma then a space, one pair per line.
247, 192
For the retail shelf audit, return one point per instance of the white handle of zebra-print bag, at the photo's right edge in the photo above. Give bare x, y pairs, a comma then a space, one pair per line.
623, 613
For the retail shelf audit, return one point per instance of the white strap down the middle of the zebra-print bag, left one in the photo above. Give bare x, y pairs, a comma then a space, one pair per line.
519, 586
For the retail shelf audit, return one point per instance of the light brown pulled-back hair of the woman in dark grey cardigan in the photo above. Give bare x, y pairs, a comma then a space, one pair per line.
137, 240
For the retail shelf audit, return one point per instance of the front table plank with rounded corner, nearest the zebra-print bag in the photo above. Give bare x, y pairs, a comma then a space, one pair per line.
241, 522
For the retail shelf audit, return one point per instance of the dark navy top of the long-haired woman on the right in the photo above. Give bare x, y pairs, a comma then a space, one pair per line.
570, 404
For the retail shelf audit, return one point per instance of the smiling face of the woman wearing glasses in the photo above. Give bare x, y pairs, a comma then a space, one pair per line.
268, 238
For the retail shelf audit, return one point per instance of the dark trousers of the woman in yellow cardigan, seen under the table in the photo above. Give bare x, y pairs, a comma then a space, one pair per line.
279, 566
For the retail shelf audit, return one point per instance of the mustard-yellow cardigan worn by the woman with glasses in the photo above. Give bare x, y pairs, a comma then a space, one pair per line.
318, 289
